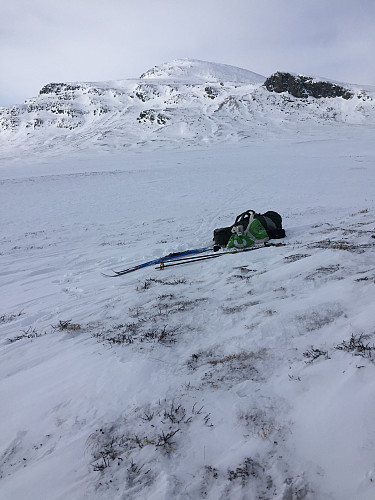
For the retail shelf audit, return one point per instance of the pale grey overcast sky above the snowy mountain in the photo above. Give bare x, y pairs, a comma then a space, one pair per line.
43, 41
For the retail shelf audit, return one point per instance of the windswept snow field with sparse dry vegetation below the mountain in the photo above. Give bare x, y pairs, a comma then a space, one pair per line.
250, 376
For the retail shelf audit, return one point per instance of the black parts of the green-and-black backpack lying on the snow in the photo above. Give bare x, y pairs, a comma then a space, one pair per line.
271, 221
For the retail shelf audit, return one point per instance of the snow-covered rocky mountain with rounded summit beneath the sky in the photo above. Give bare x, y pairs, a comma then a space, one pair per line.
178, 103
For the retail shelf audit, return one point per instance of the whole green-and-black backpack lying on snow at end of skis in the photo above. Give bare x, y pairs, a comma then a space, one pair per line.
250, 228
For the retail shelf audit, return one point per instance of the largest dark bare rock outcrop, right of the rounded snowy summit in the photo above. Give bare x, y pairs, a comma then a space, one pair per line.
304, 86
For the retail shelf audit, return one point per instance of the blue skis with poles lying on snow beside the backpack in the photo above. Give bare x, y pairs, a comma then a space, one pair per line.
186, 257
